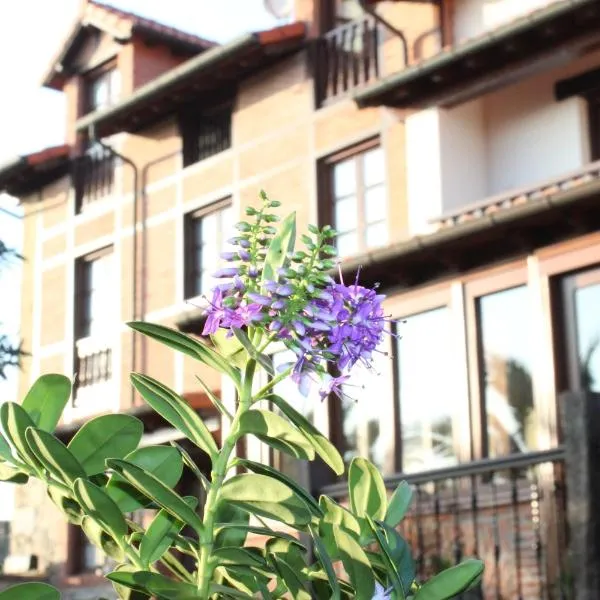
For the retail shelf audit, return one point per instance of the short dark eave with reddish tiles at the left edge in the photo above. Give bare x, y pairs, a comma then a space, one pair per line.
23, 174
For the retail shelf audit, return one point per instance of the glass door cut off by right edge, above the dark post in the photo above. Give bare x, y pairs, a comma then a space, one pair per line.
581, 331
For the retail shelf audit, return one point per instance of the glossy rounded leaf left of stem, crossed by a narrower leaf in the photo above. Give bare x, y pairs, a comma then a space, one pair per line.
164, 462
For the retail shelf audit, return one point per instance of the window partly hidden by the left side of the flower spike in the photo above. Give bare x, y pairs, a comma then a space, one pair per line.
205, 235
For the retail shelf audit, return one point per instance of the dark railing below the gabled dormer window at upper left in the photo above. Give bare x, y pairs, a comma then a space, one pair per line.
93, 176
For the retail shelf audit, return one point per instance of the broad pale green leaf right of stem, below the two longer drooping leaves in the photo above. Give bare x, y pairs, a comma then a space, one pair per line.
262, 495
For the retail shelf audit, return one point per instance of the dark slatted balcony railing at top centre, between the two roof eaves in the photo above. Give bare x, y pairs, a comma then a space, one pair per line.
347, 57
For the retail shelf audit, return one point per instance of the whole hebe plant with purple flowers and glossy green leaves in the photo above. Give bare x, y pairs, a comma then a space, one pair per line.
271, 293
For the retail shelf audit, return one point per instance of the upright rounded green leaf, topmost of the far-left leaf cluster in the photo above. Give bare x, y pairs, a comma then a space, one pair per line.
46, 400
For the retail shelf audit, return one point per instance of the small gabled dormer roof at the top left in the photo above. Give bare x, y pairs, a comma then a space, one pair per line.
122, 26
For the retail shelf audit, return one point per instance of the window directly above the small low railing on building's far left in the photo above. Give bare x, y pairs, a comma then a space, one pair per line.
95, 295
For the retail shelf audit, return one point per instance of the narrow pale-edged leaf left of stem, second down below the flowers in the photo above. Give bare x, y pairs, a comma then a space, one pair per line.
176, 411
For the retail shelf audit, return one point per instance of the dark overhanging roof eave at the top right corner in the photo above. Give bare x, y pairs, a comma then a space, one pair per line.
457, 73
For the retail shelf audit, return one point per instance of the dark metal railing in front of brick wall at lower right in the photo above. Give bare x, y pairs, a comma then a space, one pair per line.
510, 512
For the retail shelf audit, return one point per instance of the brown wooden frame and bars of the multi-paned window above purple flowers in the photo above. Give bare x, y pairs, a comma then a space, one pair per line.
326, 192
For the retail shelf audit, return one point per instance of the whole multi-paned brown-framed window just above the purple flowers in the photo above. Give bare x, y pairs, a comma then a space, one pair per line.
354, 199
